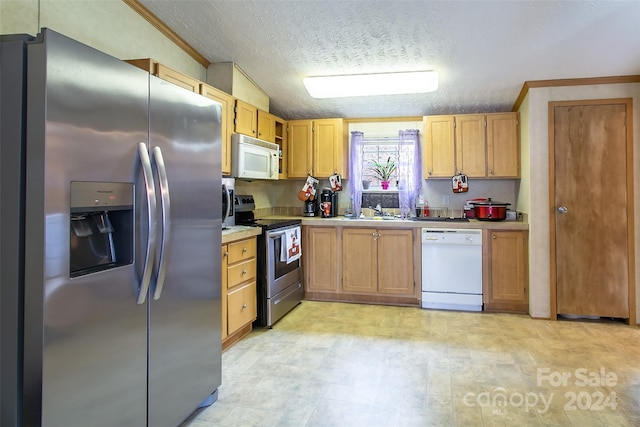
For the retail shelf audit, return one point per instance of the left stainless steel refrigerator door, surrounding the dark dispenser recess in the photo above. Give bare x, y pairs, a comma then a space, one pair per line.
85, 337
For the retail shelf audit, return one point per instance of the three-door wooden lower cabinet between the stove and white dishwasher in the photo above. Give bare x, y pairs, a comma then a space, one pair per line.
362, 265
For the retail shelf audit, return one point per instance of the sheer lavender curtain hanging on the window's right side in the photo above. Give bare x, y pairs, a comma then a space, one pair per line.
409, 170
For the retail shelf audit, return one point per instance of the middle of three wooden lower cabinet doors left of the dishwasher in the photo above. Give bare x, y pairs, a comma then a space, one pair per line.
359, 260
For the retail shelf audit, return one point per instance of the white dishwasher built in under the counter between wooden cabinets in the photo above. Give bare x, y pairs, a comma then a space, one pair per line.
452, 269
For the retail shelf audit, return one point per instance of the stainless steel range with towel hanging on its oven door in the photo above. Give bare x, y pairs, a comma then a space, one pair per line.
279, 287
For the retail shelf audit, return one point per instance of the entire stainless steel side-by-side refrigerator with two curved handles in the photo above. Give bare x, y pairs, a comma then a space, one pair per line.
111, 230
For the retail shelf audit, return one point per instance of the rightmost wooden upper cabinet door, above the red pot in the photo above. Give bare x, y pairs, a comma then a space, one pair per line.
503, 145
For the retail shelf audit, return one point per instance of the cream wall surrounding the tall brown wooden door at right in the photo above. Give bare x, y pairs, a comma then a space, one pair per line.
534, 195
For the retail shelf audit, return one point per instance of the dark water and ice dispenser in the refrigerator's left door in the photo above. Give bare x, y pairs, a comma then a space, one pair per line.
101, 226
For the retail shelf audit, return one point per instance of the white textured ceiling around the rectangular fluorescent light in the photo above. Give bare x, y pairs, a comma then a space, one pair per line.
483, 50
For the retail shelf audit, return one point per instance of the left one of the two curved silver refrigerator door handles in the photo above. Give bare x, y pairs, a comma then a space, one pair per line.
150, 189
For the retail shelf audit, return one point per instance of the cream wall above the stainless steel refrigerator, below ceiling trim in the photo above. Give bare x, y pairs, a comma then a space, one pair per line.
109, 26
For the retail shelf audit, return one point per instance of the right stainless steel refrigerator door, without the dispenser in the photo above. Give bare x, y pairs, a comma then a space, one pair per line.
185, 320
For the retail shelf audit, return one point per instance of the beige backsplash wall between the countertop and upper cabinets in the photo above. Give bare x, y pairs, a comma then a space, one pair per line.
281, 197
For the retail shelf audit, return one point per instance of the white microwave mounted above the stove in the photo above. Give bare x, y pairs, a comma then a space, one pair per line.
254, 158
